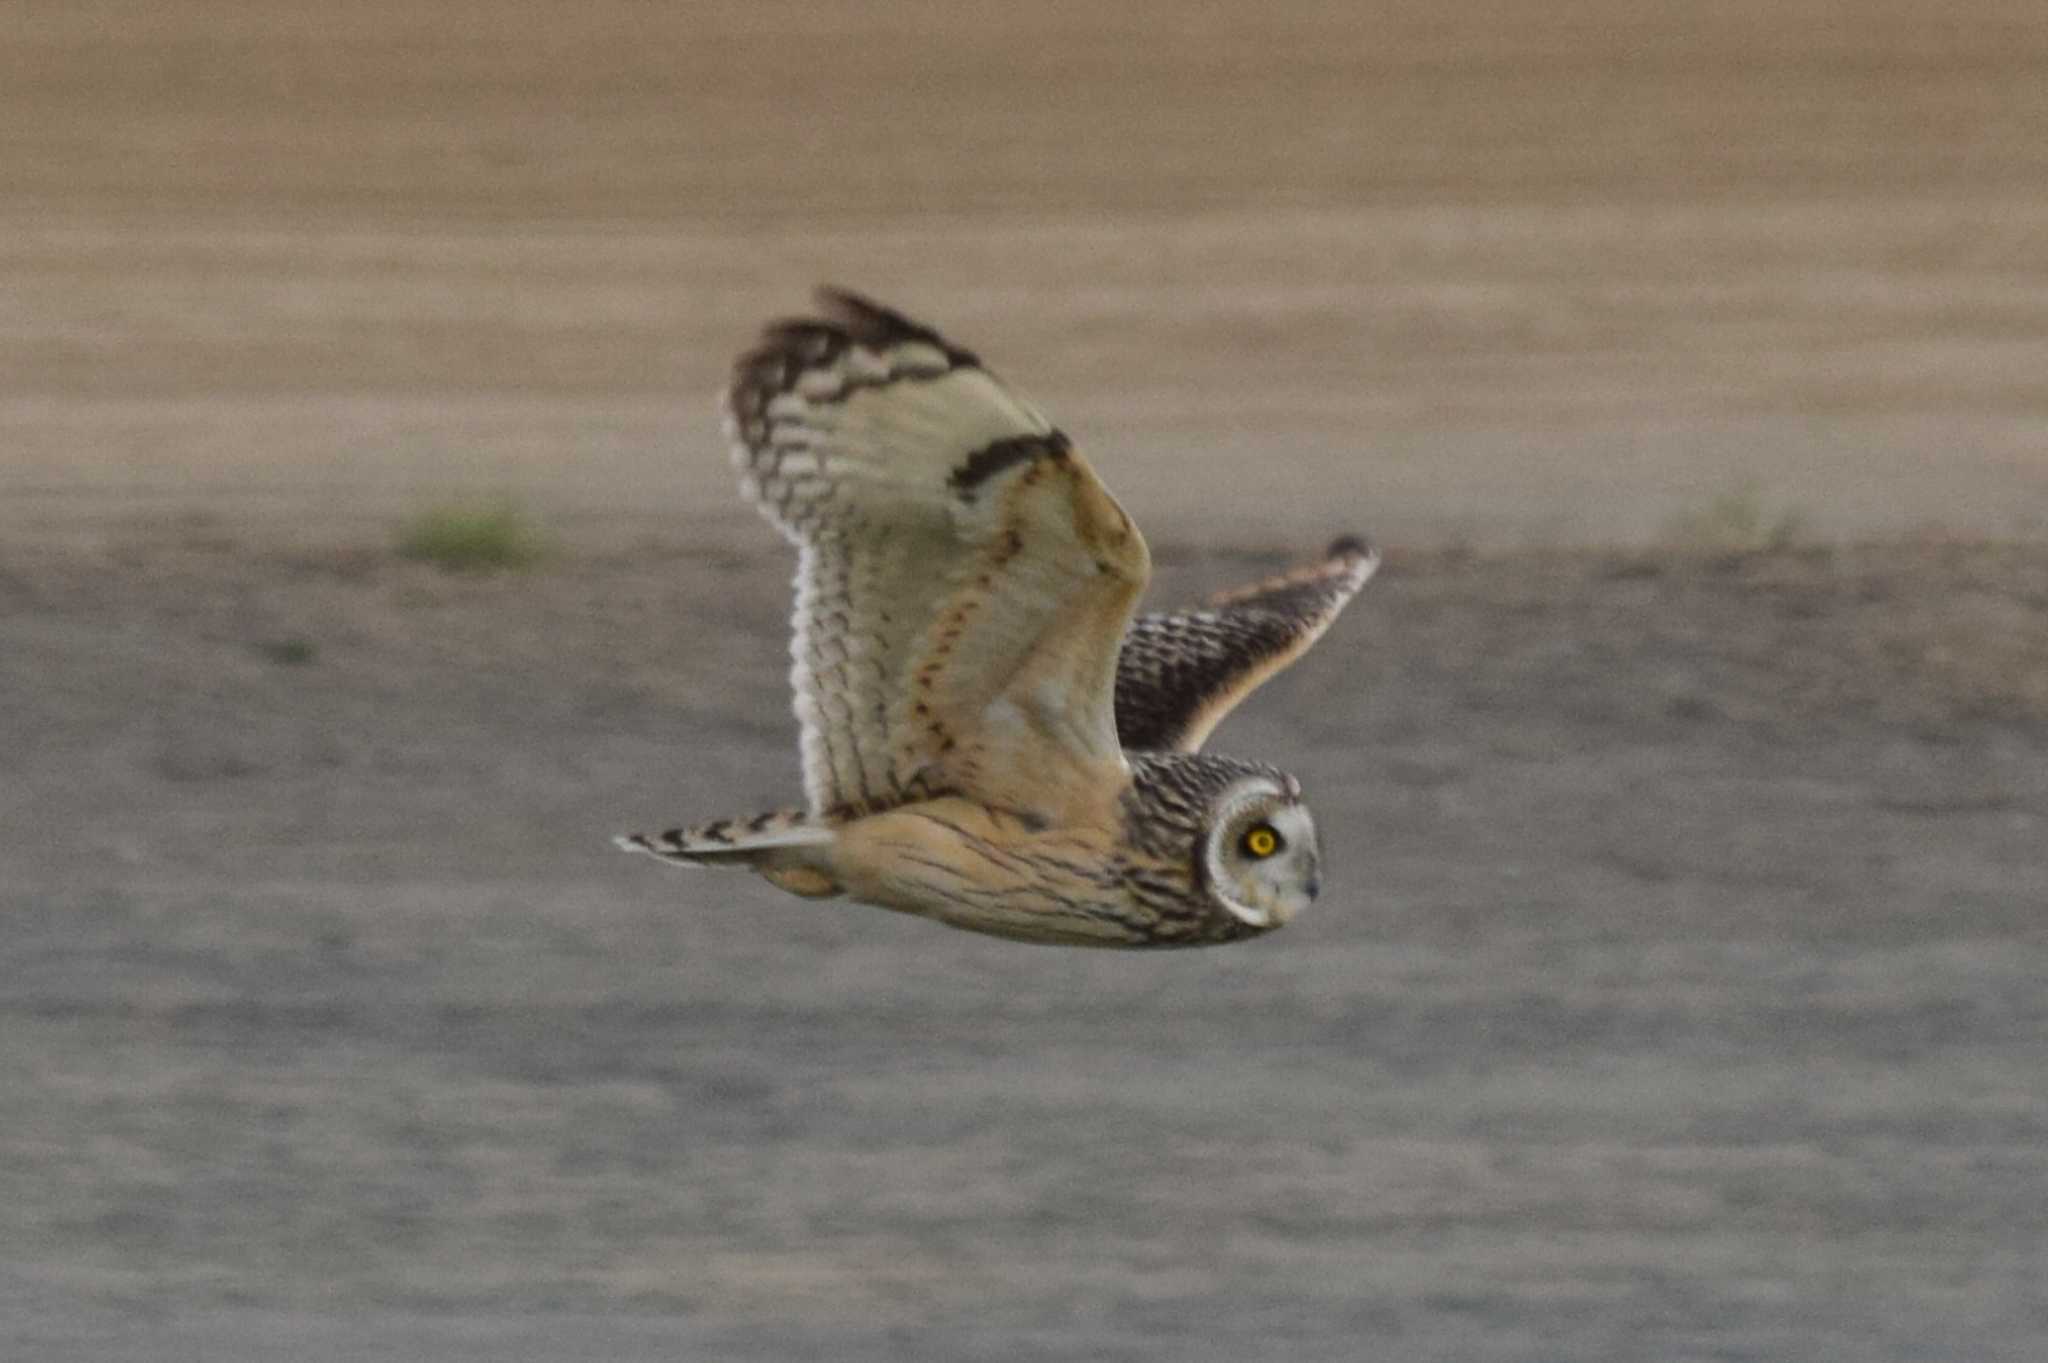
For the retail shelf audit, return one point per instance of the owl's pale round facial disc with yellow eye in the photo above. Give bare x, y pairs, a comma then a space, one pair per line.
1258, 856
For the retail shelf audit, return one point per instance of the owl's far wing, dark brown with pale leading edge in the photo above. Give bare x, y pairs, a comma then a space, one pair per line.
1183, 672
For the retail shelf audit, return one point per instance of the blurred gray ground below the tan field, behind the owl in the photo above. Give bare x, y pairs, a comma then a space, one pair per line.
1676, 994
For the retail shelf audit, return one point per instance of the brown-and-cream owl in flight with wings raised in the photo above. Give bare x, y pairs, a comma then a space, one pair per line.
990, 738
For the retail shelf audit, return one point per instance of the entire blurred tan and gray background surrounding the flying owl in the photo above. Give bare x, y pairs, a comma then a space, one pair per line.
370, 556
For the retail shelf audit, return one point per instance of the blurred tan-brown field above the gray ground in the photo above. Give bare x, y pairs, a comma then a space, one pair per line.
1492, 273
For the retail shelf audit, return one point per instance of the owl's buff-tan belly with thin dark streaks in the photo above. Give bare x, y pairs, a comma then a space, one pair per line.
990, 873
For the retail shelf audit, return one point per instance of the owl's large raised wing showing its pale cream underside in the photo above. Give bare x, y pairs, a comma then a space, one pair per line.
964, 578
